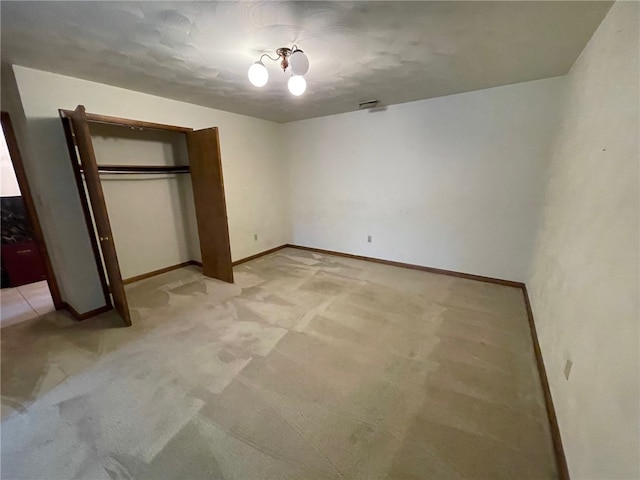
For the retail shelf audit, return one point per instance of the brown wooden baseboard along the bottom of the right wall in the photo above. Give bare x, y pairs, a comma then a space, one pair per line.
561, 461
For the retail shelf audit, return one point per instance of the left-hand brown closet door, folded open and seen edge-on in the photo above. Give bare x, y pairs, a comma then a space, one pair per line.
99, 208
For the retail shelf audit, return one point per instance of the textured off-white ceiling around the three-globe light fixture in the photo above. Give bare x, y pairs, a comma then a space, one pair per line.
395, 52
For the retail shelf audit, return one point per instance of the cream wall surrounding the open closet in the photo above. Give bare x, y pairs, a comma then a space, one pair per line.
252, 166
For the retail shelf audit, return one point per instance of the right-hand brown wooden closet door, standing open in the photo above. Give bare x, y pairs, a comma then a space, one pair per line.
211, 210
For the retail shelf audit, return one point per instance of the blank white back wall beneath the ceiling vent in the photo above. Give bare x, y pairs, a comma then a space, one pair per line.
454, 182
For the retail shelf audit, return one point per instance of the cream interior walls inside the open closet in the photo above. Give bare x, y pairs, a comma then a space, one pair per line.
152, 215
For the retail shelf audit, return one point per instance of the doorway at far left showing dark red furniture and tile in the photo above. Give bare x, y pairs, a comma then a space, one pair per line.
29, 287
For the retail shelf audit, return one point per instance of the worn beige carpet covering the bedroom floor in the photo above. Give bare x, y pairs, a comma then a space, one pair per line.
309, 367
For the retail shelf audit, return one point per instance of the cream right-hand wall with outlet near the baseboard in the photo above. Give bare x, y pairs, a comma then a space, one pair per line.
584, 279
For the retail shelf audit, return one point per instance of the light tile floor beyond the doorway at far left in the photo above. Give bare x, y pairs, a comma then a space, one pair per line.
24, 303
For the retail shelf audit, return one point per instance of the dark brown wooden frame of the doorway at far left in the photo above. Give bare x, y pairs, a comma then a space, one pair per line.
25, 191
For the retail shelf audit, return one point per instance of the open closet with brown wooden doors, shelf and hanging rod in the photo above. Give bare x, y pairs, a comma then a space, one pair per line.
158, 188
